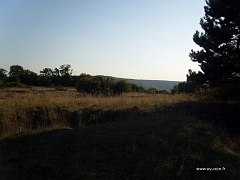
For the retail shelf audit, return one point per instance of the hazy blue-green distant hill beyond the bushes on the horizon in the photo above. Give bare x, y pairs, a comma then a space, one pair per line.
158, 84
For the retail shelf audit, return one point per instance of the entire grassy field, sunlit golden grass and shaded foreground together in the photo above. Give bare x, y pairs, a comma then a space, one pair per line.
50, 134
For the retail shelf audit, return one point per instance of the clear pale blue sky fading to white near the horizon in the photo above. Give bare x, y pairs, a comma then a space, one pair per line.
138, 39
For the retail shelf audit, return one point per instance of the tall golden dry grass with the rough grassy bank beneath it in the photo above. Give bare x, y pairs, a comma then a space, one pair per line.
41, 108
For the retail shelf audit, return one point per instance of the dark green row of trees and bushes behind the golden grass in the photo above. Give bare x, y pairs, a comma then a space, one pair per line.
62, 77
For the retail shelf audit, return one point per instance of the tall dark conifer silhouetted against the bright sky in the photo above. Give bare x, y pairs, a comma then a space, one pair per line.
219, 58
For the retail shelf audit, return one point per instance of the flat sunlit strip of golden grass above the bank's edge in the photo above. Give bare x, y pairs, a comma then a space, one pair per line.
49, 97
